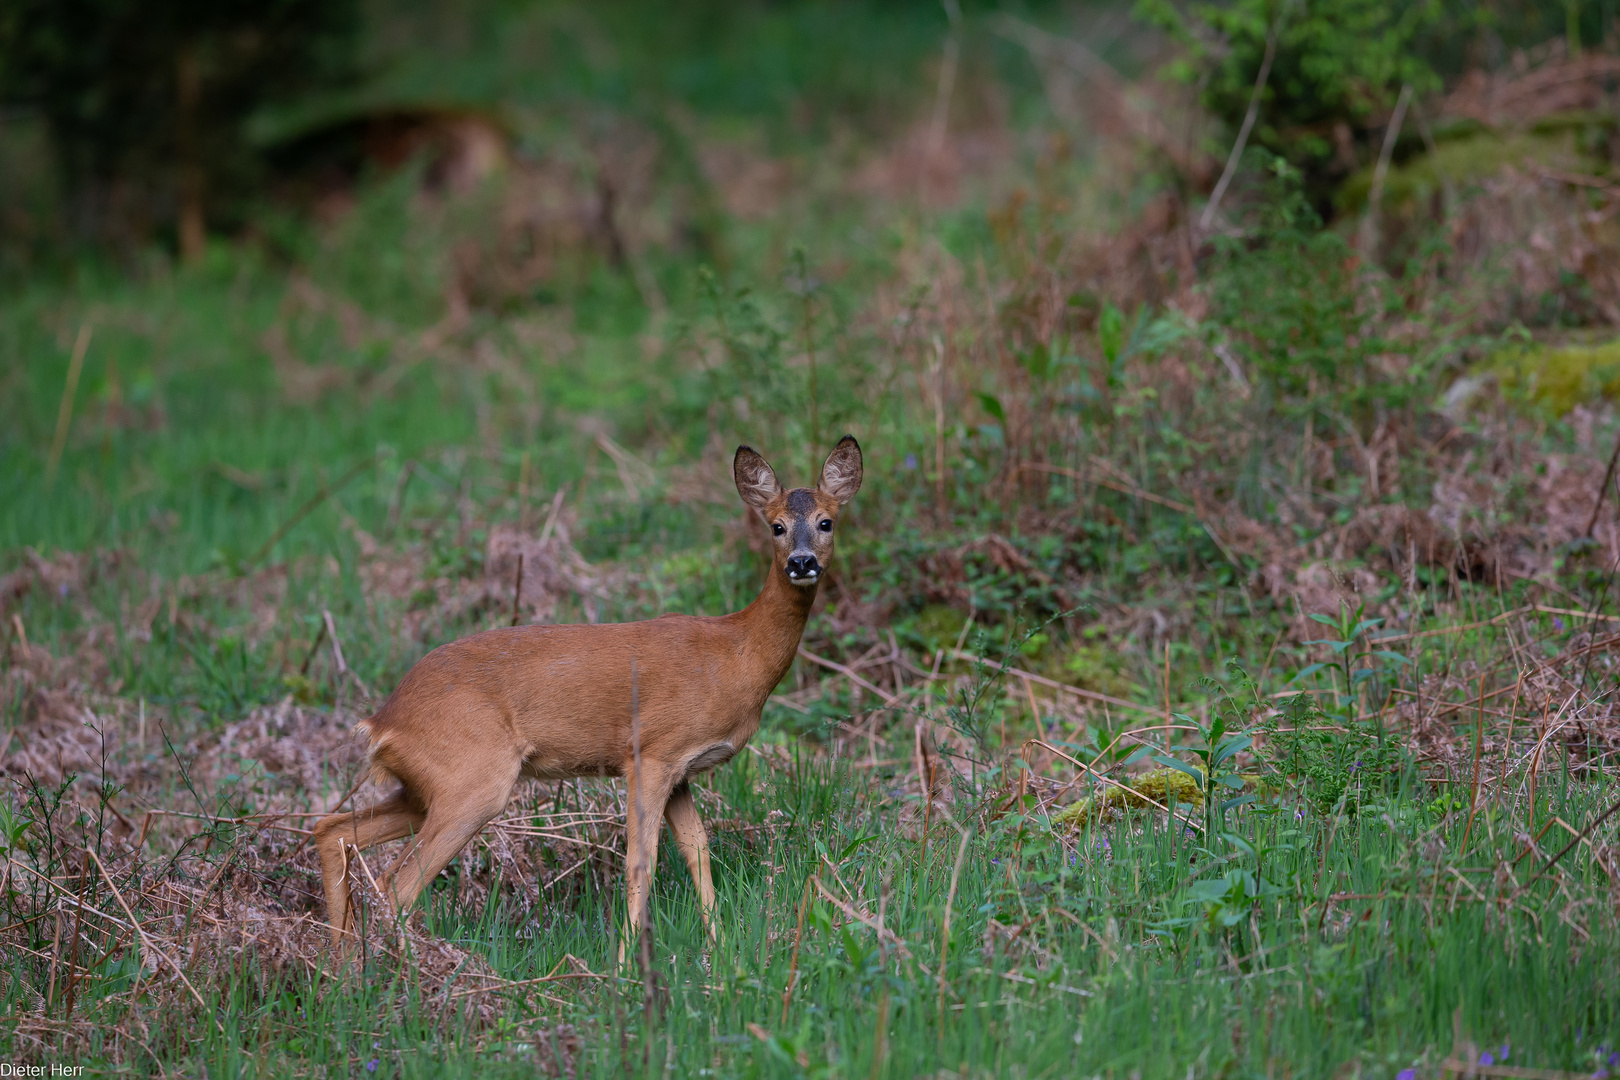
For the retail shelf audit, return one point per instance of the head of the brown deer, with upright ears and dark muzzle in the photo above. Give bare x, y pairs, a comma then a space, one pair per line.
803, 519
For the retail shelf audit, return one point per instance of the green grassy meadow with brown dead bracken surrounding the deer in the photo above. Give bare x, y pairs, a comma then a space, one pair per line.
1216, 676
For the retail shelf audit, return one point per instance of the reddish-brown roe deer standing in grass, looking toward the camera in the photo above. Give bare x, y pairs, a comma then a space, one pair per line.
654, 702
